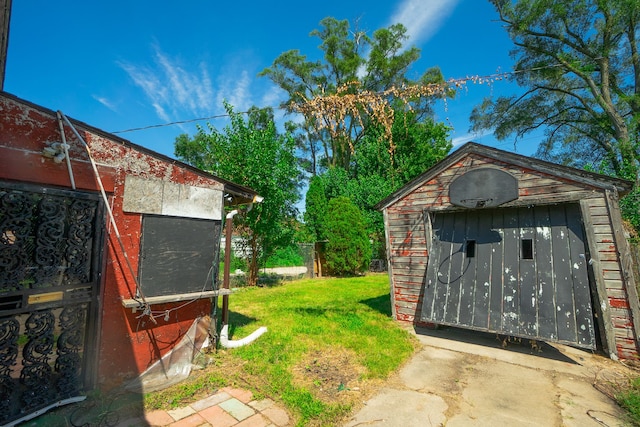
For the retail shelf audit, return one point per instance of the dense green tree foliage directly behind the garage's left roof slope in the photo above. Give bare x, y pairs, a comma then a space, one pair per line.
375, 173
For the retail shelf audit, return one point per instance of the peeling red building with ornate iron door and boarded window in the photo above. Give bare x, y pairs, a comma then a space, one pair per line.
108, 258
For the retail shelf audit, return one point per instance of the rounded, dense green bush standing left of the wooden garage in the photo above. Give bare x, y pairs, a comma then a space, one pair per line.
348, 249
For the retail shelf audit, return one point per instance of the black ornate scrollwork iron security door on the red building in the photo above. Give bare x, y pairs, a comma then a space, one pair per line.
50, 255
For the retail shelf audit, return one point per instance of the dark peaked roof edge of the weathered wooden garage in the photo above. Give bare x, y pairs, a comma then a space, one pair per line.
561, 171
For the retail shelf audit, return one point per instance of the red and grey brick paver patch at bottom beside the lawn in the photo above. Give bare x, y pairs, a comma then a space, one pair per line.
228, 407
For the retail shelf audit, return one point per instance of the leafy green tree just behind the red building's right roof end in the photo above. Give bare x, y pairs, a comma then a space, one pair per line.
251, 153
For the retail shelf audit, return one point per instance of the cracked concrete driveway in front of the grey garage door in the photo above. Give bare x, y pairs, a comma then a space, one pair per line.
466, 378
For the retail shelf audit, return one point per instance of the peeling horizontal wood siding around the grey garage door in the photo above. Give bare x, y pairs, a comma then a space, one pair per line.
408, 241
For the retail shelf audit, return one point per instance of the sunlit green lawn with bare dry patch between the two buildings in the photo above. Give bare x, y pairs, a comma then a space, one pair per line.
330, 343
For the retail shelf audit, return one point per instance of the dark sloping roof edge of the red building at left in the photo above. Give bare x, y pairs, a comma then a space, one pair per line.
239, 193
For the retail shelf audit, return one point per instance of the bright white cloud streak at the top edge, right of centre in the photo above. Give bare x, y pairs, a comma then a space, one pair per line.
422, 18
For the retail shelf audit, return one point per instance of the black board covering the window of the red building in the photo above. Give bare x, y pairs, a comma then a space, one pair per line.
178, 255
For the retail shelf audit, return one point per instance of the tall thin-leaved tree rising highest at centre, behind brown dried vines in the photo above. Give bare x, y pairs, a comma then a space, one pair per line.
352, 62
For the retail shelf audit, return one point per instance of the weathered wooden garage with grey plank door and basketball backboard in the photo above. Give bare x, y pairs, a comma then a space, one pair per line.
499, 242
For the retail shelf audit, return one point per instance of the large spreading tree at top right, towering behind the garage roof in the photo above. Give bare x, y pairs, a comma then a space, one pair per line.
579, 65
